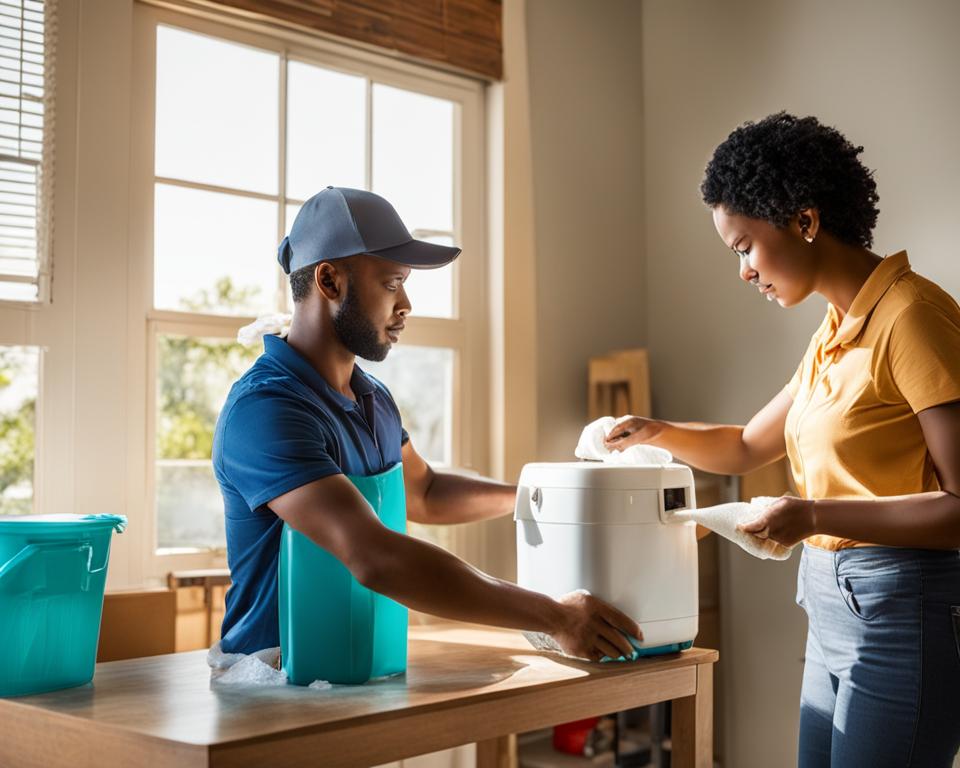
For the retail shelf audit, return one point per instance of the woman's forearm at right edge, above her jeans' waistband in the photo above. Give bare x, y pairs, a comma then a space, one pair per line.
922, 520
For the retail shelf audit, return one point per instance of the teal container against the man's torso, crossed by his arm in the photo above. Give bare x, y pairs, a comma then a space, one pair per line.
332, 627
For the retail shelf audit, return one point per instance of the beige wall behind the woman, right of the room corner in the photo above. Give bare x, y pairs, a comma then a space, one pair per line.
884, 72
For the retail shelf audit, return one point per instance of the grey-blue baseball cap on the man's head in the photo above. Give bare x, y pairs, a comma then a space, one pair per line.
339, 222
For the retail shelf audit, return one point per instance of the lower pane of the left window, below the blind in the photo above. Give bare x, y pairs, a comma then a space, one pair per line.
19, 378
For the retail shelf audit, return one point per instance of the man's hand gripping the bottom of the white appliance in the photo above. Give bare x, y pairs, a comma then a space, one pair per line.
592, 629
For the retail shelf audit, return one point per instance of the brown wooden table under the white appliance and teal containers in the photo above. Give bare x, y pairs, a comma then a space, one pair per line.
463, 684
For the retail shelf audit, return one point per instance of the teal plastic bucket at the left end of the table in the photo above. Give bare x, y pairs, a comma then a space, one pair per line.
52, 572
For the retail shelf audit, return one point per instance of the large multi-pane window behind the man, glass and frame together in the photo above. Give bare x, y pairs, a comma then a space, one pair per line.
245, 128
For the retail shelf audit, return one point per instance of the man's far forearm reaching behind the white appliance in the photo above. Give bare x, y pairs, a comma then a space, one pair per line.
454, 498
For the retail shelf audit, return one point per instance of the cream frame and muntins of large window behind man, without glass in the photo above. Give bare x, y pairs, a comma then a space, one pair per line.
466, 334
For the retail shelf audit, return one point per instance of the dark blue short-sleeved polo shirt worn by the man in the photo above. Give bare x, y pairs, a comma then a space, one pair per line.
281, 427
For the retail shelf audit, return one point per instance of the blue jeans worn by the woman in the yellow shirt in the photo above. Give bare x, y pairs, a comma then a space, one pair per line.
881, 684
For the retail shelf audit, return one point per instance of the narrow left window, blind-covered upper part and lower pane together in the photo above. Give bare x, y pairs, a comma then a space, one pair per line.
26, 163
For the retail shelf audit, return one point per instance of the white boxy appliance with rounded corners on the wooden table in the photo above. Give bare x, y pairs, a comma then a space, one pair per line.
603, 528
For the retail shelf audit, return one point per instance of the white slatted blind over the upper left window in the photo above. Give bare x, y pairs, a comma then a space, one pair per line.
27, 35
